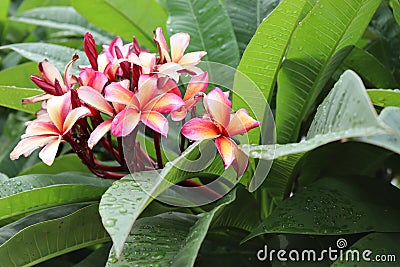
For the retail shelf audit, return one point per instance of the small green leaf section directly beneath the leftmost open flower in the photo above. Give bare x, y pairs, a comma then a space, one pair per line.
64, 163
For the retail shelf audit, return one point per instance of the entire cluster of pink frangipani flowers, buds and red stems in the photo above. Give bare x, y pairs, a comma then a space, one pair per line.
125, 86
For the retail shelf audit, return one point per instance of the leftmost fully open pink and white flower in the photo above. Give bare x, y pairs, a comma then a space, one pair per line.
49, 130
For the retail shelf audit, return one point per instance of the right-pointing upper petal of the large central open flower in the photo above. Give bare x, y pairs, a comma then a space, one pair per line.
164, 103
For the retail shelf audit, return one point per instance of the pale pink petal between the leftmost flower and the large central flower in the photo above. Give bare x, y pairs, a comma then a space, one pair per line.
93, 98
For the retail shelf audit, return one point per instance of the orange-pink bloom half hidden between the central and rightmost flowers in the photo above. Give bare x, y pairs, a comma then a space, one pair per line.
197, 85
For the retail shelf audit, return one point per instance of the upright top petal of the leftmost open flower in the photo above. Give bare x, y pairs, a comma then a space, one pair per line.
58, 108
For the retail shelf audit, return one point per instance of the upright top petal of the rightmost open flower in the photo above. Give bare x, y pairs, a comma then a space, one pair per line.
218, 106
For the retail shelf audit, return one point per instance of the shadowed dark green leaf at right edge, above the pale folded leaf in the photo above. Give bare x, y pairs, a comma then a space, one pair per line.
373, 72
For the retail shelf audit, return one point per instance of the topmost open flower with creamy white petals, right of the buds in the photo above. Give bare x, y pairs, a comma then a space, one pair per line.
178, 61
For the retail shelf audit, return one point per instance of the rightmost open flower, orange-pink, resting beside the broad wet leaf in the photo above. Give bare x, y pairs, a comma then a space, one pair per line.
221, 125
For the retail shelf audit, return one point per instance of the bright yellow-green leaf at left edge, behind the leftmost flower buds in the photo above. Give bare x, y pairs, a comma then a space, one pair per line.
15, 85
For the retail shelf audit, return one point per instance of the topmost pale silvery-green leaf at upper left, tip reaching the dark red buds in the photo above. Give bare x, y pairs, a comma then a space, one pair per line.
63, 18
